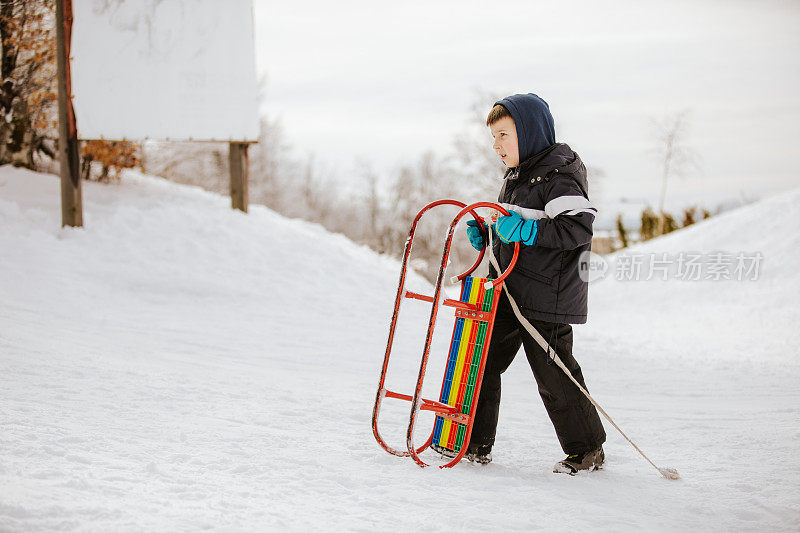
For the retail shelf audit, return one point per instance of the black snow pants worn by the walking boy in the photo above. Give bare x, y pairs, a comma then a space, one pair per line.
575, 419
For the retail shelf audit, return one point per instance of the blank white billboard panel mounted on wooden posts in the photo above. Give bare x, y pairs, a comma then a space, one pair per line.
164, 69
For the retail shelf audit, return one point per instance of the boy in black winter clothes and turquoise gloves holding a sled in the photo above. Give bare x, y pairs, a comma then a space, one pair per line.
546, 192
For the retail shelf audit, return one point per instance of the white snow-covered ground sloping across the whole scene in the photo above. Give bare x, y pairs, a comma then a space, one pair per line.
176, 365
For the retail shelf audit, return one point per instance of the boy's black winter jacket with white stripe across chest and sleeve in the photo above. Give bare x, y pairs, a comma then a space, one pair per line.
551, 187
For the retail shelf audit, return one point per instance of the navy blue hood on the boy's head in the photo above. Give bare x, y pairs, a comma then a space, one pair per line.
535, 128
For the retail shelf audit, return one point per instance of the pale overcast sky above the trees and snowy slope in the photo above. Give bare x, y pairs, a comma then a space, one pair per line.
385, 82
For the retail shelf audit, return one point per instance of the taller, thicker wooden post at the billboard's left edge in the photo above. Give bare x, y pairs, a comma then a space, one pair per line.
71, 195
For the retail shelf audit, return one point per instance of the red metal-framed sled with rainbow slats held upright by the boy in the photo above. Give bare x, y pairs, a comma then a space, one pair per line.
477, 308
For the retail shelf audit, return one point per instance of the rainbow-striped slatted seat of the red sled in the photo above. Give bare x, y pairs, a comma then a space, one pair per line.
463, 363
